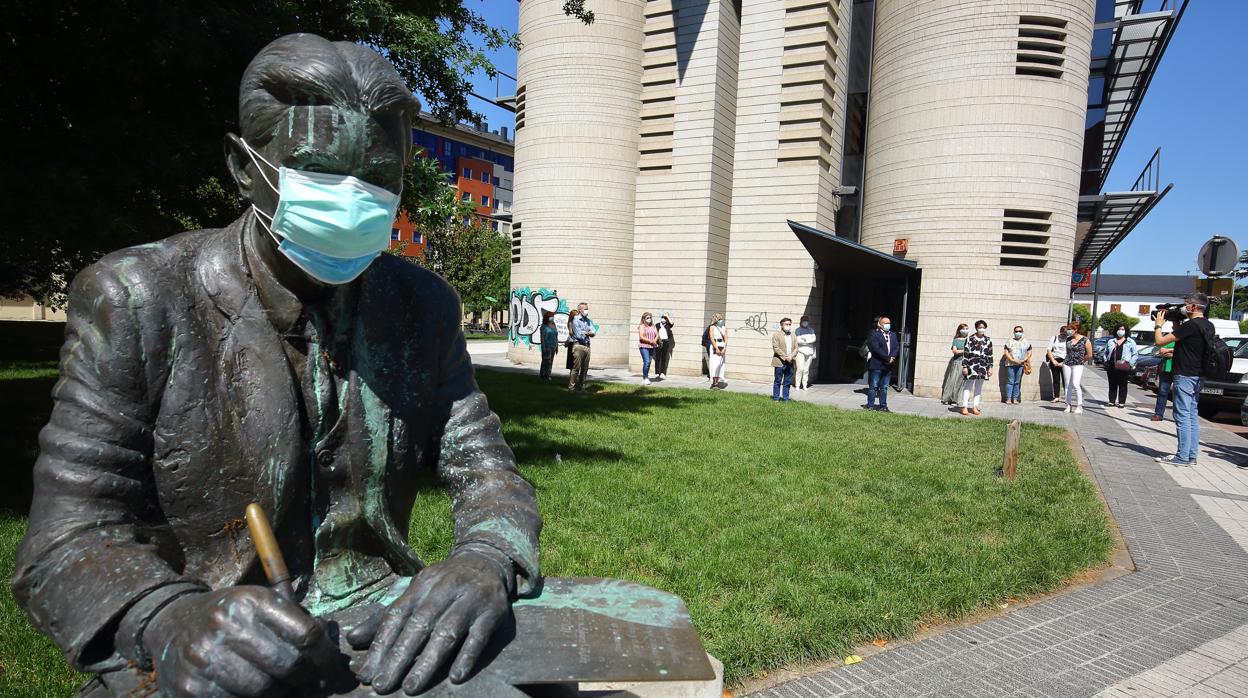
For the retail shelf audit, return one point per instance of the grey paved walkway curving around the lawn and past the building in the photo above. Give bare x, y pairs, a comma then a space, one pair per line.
1177, 626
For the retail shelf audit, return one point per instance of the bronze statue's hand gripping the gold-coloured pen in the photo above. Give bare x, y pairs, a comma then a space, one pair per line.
243, 641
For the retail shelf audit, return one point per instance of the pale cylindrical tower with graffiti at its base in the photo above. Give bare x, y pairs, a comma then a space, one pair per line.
577, 129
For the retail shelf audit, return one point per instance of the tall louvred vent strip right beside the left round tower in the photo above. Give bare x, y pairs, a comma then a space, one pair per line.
658, 87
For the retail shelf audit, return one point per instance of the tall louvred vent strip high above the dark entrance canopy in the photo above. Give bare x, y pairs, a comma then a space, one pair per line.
808, 82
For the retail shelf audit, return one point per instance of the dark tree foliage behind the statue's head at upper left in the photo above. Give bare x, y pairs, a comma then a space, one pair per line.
115, 112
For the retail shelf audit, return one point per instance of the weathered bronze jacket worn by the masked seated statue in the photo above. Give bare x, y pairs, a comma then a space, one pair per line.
178, 408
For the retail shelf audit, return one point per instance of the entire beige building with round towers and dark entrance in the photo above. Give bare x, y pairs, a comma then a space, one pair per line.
939, 162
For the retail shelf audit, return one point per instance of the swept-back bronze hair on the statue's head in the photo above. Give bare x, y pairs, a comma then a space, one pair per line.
306, 71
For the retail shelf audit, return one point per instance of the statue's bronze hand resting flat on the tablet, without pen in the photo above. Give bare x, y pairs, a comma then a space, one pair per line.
455, 604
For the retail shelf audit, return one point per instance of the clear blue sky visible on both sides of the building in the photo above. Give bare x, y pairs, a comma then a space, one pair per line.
1196, 112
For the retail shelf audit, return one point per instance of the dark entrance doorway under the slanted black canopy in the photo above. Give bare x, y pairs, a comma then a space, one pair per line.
860, 285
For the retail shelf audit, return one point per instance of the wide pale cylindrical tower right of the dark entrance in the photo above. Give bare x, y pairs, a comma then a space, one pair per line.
974, 154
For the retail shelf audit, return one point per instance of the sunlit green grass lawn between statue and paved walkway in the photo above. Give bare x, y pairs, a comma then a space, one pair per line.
793, 531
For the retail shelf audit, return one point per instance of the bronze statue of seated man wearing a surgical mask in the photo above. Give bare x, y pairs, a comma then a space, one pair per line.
283, 360
